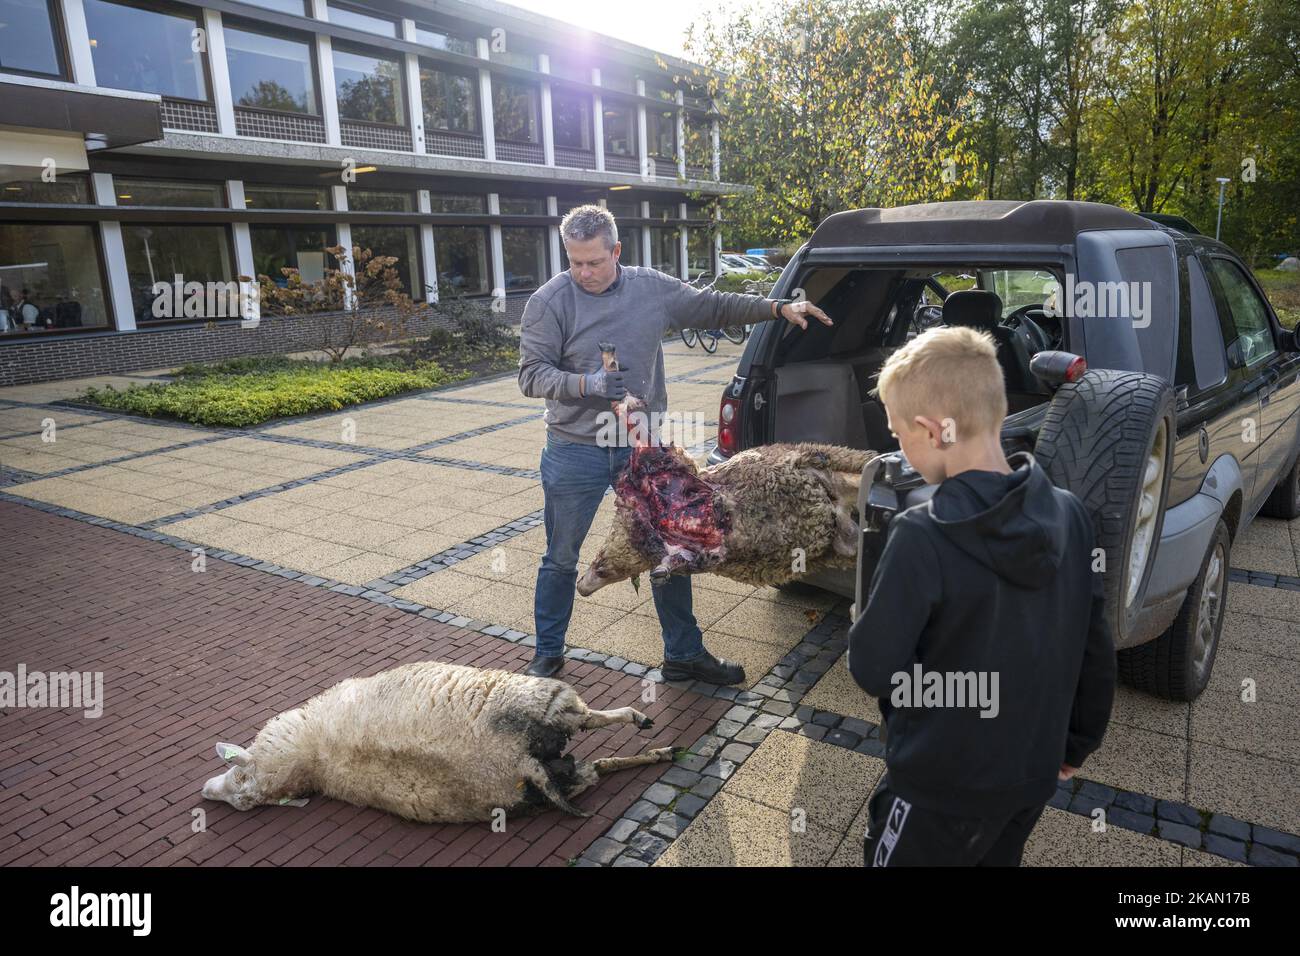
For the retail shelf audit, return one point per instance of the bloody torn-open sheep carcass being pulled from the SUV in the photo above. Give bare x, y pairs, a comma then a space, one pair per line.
751, 518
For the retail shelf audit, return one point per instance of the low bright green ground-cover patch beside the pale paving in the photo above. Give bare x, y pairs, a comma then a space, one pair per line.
248, 392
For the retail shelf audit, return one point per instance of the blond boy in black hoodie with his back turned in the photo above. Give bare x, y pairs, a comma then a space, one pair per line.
985, 635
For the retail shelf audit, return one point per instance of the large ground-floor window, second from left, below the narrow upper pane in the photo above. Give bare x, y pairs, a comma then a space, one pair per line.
177, 254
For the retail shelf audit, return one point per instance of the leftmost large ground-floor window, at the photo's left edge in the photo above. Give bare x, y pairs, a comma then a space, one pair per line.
50, 279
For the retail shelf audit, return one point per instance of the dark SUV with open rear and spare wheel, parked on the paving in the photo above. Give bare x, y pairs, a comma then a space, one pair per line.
1184, 427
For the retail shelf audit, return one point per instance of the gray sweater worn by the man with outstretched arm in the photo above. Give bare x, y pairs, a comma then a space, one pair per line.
565, 325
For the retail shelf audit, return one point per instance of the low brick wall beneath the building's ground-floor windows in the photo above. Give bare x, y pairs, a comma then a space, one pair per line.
28, 361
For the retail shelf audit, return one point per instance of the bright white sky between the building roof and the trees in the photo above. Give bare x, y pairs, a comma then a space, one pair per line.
660, 25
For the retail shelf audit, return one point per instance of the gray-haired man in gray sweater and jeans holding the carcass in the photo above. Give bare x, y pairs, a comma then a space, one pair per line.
560, 360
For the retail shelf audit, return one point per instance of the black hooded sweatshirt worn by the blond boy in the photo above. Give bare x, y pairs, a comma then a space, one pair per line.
990, 578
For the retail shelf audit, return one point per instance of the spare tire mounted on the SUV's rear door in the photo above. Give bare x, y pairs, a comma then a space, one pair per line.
1110, 439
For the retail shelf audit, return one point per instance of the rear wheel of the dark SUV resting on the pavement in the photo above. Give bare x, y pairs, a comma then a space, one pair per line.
1177, 665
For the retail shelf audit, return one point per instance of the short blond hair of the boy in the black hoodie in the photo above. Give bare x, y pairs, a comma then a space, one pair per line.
951, 373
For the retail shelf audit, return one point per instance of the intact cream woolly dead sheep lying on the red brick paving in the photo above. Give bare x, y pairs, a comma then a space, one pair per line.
436, 743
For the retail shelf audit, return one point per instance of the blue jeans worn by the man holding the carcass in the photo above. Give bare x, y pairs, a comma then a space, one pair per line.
574, 482
